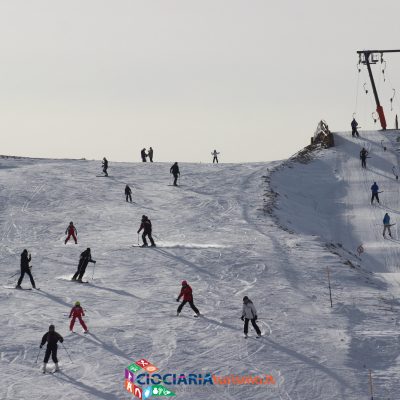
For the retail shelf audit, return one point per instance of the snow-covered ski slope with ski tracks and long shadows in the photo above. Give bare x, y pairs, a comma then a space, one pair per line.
216, 231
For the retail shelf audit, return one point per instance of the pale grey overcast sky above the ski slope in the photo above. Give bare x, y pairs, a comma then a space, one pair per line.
250, 78
